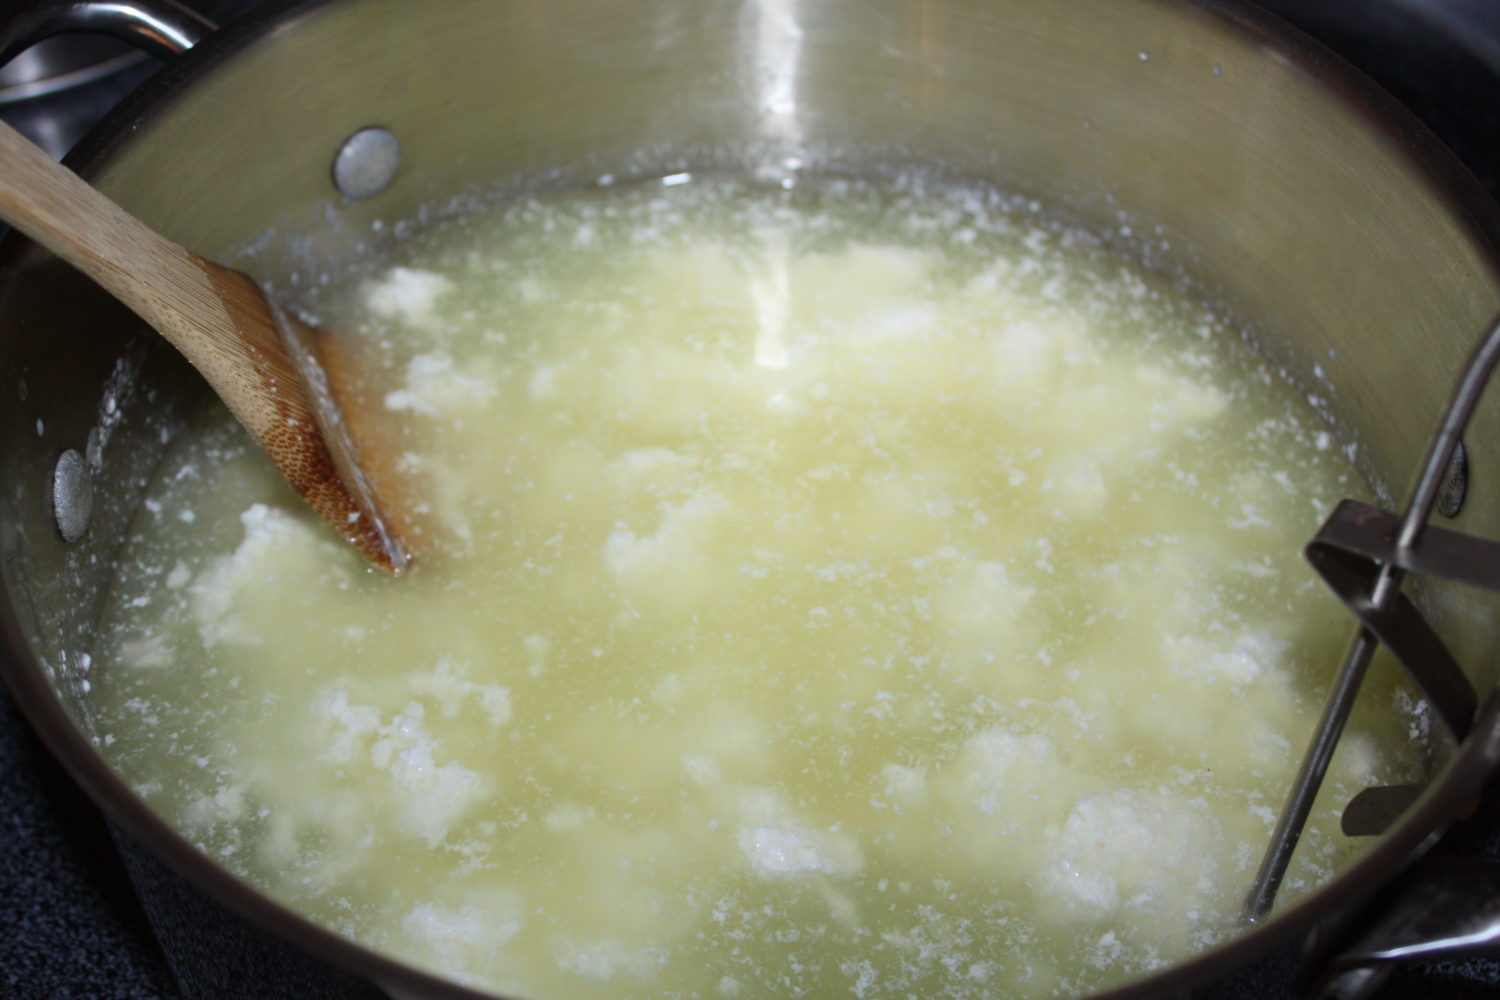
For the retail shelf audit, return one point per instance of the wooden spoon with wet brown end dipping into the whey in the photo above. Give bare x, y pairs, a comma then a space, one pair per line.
260, 359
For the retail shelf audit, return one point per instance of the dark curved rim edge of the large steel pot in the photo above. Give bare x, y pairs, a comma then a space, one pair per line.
1454, 788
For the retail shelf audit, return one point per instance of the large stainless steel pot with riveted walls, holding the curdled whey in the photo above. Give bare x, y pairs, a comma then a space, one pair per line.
1204, 137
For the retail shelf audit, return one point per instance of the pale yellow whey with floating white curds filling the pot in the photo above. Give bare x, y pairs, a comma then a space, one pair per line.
808, 605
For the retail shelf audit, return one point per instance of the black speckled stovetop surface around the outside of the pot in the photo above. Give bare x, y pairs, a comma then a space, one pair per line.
73, 923
